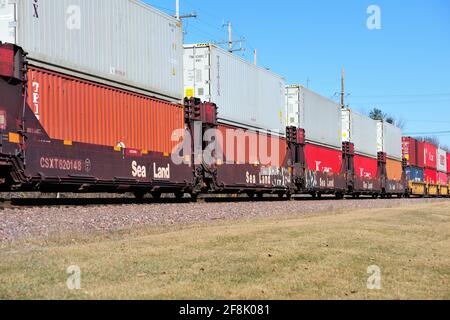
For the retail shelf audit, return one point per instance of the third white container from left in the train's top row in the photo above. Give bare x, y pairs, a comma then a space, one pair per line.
318, 116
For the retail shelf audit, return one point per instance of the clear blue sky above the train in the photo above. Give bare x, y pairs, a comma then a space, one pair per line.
404, 68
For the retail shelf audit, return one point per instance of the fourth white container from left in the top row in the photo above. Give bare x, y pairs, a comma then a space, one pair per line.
361, 131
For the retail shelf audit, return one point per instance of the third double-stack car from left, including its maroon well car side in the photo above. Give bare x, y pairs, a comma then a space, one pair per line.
319, 117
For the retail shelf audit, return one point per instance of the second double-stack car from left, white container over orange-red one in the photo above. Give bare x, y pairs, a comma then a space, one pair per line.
251, 120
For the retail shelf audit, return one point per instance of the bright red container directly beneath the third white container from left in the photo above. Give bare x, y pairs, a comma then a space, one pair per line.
323, 159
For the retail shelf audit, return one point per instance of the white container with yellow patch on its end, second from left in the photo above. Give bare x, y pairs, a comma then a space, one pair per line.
246, 95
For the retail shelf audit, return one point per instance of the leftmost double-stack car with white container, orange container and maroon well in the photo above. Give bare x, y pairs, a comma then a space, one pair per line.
93, 105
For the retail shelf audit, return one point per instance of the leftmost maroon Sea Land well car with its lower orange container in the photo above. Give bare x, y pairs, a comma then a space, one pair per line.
86, 137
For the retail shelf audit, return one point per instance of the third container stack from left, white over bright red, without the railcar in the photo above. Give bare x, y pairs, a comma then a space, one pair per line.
320, 118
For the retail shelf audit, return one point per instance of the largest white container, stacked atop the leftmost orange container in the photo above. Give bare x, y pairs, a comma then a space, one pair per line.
125, 42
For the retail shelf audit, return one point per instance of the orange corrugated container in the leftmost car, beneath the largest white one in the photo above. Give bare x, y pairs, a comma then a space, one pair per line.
77, 110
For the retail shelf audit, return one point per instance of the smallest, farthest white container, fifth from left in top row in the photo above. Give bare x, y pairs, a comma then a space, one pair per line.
389, 140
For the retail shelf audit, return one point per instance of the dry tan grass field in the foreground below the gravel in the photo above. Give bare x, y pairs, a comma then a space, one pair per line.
322, 256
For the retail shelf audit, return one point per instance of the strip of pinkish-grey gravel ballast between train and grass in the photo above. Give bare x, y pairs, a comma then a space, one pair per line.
40, 223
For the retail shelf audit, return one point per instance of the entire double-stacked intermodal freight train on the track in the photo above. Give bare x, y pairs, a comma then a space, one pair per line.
92, 106
